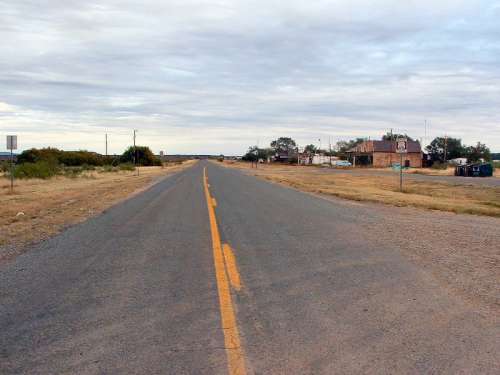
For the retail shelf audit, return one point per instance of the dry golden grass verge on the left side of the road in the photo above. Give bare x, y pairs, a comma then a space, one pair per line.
41, 208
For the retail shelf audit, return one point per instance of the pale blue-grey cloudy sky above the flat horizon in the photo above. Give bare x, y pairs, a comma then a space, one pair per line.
196, 76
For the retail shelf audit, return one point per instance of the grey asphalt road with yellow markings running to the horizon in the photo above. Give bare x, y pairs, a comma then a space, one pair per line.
151, 287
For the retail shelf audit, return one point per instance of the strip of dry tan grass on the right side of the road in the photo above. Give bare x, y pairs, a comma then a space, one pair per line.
435, 195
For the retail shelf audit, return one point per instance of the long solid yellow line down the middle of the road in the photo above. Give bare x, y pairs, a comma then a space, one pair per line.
234, 351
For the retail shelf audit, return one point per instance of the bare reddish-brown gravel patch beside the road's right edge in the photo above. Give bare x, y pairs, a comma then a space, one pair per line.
461, 251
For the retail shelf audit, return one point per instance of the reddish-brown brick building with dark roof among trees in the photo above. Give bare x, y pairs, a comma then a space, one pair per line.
382, 154
